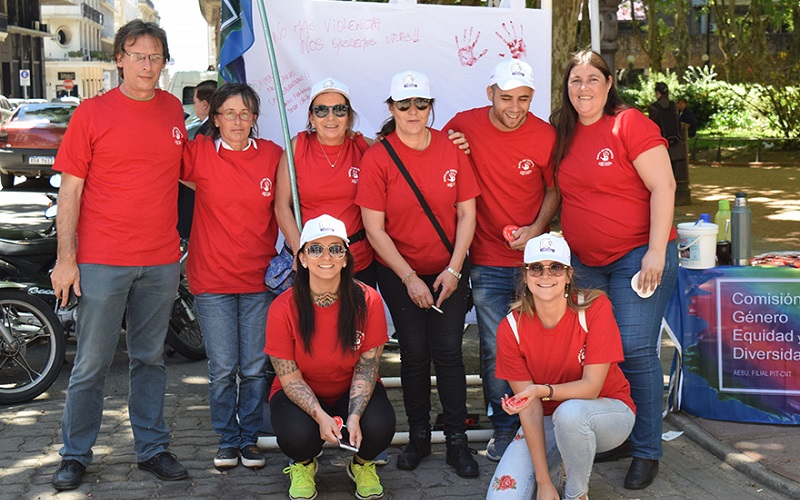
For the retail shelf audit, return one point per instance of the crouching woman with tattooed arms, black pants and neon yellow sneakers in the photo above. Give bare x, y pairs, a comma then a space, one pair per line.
325, 337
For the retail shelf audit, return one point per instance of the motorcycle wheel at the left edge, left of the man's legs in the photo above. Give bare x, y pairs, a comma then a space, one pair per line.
32, 353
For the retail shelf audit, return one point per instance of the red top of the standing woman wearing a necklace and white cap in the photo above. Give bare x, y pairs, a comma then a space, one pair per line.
332, 190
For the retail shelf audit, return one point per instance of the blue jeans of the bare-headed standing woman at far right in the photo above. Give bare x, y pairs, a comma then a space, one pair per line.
639, 323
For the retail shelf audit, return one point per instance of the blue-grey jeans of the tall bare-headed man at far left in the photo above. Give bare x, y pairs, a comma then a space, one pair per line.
144, 295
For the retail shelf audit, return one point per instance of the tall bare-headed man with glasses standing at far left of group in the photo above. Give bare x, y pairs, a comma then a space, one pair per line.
118, 250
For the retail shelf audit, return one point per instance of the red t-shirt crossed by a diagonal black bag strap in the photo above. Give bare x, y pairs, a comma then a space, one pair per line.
443, 175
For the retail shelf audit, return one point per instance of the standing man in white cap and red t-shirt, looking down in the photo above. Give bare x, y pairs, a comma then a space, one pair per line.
510, 153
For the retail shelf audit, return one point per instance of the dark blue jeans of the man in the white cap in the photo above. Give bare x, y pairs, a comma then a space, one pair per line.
493, 290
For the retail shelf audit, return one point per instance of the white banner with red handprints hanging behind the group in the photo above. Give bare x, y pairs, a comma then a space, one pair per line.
364, 44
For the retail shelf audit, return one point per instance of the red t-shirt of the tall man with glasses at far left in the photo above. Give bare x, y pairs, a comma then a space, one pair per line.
129, 154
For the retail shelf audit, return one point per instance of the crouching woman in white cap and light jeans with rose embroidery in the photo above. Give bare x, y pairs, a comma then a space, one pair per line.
559, 349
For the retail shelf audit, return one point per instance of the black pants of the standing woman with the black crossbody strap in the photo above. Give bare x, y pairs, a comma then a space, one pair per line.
425, 335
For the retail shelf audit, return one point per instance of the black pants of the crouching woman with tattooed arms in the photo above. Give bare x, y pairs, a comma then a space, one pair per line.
298, 434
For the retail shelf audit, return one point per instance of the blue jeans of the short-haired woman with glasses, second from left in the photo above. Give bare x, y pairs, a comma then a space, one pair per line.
234, 330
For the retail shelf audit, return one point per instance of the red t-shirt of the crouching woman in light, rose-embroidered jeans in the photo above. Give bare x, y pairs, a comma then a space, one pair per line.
557, 355
